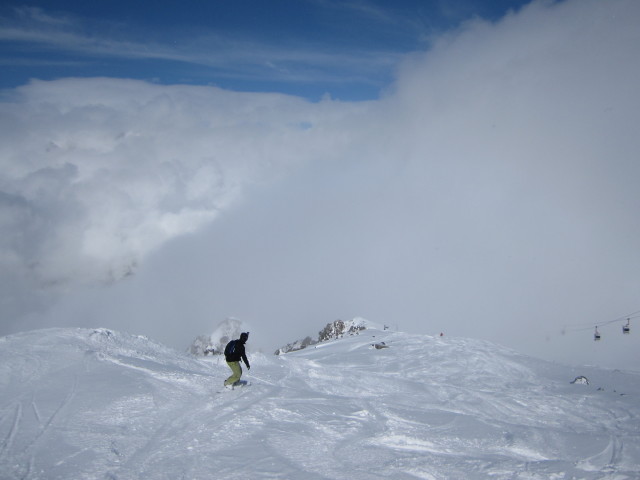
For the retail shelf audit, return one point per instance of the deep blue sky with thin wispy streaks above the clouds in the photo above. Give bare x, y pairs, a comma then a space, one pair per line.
348, 49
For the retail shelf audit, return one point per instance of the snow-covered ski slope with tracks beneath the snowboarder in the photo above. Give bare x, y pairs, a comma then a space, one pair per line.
97, 404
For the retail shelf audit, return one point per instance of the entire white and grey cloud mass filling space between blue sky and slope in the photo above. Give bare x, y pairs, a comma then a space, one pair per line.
492, 192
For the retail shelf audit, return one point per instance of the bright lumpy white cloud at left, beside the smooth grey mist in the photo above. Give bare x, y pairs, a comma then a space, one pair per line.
102, 171
